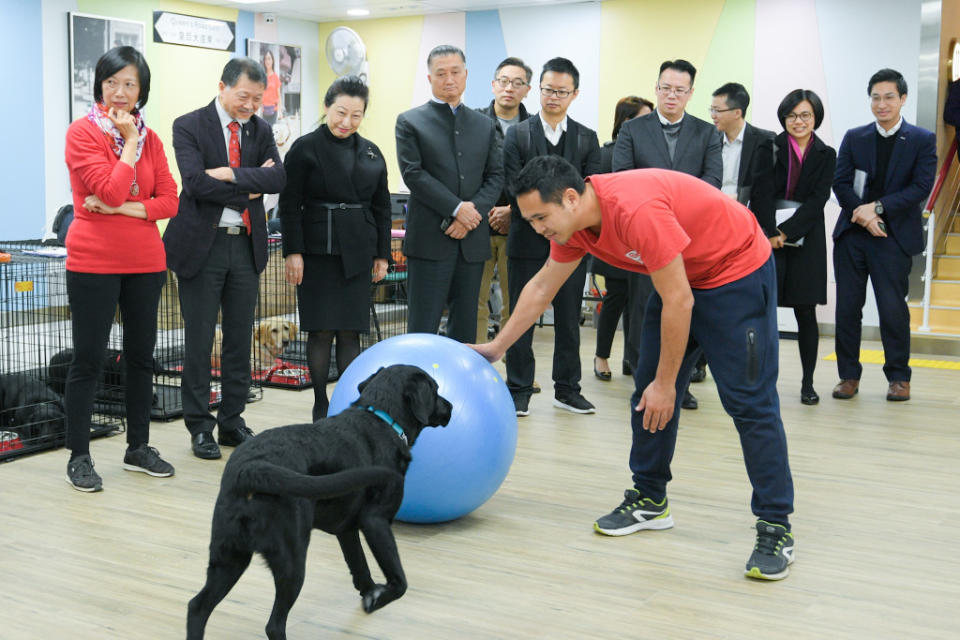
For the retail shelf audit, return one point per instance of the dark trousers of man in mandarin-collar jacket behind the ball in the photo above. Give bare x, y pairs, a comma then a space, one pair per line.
434, 284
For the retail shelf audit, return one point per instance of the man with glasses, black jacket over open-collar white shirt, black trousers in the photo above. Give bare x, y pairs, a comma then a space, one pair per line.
551, 132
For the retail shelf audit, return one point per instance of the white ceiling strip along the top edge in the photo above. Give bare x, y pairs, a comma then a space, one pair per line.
336, 10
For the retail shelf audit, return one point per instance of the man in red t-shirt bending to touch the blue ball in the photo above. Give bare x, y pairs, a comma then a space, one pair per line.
715, 280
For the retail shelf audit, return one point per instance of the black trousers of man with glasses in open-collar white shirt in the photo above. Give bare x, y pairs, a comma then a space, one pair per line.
521, 365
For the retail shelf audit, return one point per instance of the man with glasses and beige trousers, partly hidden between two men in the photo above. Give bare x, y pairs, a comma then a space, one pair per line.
511, 83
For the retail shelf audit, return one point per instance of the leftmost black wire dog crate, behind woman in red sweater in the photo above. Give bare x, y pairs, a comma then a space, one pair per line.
35, 351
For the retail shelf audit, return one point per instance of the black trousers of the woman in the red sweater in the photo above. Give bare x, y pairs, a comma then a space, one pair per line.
93, 301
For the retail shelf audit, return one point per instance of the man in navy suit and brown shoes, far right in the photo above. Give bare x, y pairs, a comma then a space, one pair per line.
885, 171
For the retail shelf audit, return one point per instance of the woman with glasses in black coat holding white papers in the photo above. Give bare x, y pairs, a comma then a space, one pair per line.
799, 179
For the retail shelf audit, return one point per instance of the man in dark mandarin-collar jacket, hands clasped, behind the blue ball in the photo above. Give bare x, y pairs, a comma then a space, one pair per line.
450, 159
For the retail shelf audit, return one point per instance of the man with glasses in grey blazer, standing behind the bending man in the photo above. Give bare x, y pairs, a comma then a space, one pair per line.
668, 138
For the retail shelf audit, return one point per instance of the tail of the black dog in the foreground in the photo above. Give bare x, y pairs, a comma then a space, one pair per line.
265, 477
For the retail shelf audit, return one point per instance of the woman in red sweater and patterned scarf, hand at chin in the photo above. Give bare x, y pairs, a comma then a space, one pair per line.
121, 186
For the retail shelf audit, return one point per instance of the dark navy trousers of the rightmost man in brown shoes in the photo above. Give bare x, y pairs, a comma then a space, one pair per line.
857, 255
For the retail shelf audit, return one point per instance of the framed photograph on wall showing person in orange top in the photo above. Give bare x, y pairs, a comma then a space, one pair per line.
281, 100
